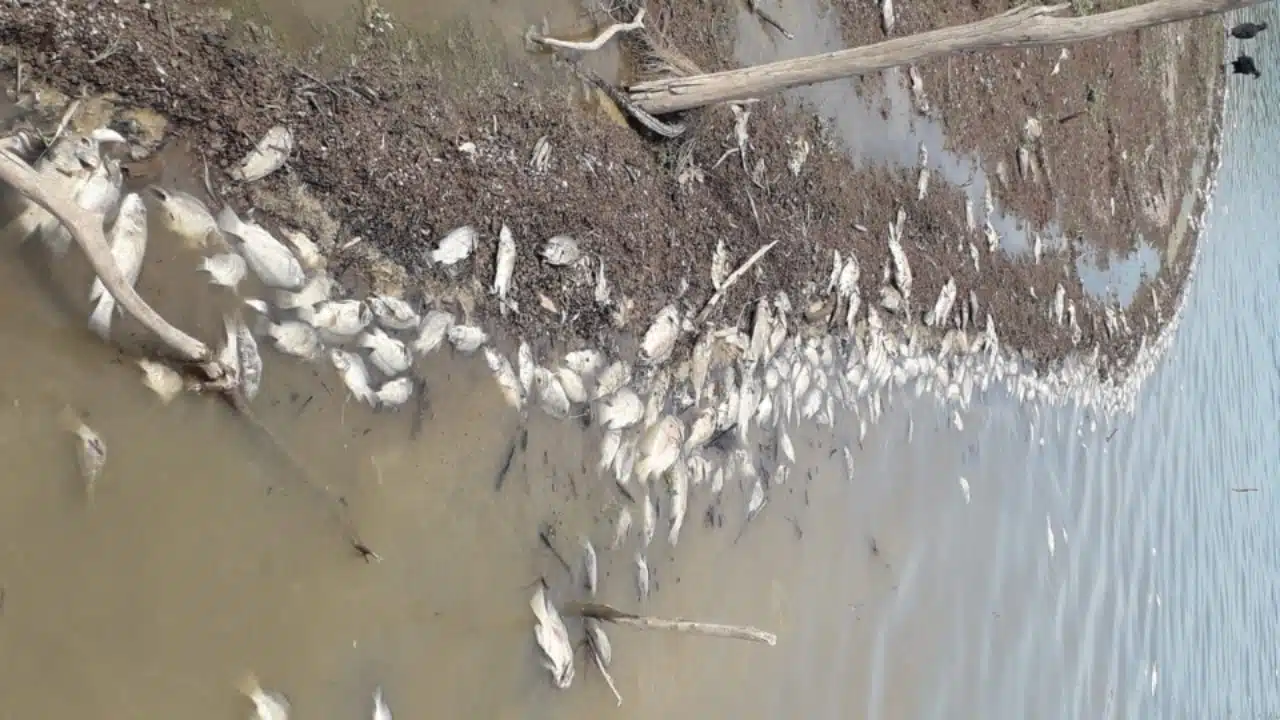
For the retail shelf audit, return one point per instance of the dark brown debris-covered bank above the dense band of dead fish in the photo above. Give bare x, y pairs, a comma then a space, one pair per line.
401, 148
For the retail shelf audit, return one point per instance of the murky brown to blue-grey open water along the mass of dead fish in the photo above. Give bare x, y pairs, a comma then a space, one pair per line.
894, 596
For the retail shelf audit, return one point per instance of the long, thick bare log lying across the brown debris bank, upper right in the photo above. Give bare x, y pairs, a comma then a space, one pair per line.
1027, 26
